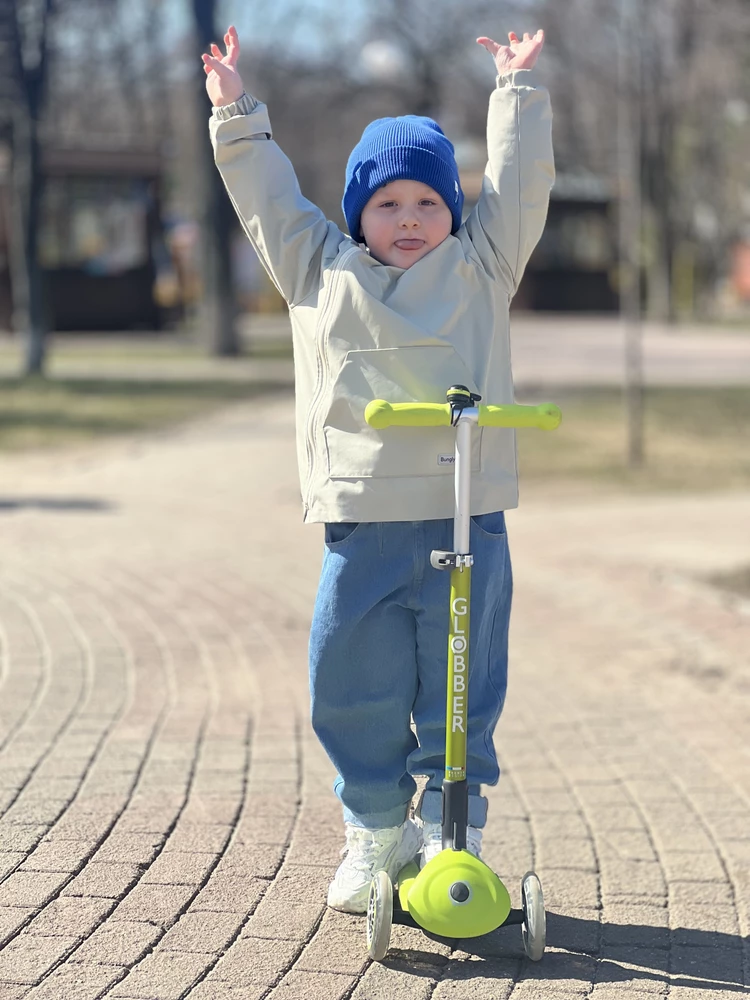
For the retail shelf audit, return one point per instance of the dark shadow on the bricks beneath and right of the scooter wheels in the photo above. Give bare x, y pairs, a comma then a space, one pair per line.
603, 953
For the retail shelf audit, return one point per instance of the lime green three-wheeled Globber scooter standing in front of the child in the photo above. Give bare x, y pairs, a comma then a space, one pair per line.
456, 895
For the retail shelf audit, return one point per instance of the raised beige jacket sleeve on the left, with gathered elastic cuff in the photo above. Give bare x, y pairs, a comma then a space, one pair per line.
290, 234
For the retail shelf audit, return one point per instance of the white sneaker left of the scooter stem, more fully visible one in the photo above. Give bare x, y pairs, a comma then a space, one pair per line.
368, 852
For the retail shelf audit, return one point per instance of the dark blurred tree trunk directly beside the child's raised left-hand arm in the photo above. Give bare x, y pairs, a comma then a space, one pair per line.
217, 311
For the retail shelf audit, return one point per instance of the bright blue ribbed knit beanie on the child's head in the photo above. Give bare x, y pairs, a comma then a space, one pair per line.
406, 148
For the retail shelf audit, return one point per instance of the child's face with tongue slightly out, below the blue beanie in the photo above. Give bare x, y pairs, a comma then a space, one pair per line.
403, 221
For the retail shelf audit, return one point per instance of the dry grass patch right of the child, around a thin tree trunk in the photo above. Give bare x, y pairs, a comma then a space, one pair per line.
695, 439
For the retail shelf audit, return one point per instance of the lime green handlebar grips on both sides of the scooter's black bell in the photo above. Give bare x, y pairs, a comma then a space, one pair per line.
381, 414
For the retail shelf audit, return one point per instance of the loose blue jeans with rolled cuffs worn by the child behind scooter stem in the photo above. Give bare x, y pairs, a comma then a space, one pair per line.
378, 655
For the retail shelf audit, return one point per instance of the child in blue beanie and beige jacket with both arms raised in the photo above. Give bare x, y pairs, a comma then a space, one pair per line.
411, 303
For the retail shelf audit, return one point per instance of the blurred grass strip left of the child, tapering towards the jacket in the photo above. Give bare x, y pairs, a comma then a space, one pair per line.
48, 413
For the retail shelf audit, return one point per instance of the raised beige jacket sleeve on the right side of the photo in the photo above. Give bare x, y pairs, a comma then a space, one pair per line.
507, 221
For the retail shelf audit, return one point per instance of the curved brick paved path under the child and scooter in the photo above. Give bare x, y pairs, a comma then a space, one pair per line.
167, 827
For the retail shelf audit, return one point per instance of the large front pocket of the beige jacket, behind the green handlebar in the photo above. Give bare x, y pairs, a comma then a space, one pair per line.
400, 375
